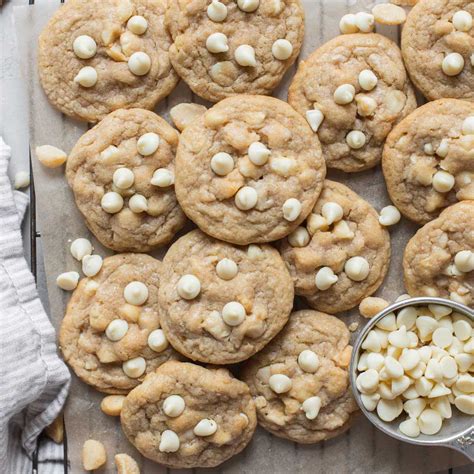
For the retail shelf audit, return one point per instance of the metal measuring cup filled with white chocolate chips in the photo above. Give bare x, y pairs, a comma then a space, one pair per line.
412, 372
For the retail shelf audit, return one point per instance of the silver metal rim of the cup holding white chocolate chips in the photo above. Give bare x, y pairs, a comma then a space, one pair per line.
374, 420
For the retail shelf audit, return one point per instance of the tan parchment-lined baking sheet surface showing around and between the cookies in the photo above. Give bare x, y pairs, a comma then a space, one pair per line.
362, 449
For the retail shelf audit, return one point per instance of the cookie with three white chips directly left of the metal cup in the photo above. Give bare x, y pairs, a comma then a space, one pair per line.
300, 381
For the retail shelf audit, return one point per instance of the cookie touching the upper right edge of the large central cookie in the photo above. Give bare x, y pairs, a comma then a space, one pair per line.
353, 90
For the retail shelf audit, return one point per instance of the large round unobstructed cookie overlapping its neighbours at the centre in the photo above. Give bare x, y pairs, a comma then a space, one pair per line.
249, 170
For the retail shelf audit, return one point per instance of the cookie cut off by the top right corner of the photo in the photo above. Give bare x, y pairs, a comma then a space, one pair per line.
438, 46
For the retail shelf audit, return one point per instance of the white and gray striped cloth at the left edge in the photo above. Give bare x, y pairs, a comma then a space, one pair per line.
34, 382
